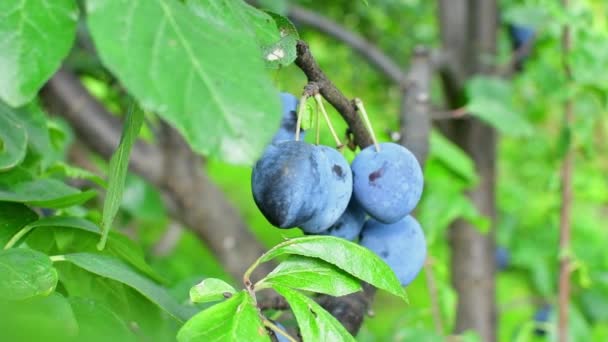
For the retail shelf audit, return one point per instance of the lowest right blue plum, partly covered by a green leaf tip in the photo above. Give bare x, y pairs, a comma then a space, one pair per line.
401, 245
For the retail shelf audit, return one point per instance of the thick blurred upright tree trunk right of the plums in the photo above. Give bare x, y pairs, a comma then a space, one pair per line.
468, 32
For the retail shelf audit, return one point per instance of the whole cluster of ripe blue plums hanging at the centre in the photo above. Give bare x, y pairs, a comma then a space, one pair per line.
297, 184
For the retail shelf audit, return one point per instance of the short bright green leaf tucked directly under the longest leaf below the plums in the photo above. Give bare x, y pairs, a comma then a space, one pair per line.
311, 274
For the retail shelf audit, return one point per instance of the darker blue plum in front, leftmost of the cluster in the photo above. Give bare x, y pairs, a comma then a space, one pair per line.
285, 183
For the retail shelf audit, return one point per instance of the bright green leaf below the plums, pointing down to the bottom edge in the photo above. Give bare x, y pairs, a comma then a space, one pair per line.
314, 322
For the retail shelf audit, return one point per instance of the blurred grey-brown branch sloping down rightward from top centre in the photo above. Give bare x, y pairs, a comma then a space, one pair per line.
366, 49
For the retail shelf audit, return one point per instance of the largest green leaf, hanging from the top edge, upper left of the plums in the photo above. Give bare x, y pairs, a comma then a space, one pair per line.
203, 76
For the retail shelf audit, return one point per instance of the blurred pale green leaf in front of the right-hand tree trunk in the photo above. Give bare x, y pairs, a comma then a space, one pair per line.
490, 99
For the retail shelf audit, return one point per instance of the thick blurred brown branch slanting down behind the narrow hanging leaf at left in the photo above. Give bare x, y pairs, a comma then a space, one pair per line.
191, 197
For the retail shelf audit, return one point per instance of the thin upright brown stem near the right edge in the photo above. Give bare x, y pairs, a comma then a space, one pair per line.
565, 215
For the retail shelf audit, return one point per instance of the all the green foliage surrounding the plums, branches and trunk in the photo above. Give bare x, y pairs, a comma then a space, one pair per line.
210, 69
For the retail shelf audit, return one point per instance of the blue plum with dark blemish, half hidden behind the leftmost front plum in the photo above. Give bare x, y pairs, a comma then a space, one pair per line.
336, 185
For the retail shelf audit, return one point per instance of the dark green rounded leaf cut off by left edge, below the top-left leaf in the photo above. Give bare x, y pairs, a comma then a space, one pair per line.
13, 138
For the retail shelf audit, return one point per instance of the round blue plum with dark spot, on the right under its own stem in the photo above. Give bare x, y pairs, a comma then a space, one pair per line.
388, 184
